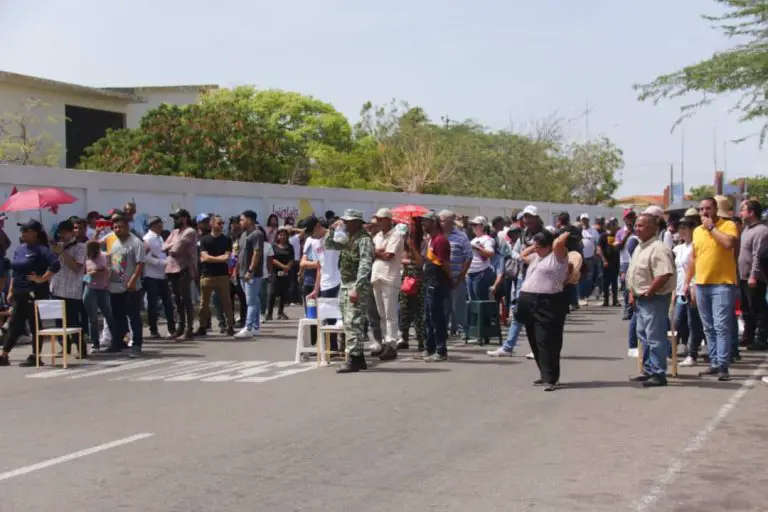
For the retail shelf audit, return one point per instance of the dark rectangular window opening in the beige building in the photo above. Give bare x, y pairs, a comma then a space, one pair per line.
85, 126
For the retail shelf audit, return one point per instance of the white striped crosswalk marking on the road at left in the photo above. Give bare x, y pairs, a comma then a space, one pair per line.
179, 370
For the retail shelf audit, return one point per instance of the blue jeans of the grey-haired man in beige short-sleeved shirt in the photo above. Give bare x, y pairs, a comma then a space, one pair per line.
652, 319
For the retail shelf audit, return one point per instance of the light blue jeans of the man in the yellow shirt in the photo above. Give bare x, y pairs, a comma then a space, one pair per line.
716, 304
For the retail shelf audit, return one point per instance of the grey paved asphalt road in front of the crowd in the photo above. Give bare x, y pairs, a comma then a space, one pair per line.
182, 431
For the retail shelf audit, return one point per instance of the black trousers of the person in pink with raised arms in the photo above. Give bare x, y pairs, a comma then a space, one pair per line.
543, 316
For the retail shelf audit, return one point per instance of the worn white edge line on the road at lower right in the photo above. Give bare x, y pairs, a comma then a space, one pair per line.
678, 465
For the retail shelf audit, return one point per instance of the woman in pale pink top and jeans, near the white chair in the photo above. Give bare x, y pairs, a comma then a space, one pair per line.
96, 294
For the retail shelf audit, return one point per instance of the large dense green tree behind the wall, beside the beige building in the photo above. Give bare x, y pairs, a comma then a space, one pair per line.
241, 134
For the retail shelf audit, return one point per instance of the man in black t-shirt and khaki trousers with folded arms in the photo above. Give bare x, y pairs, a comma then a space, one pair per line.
215, 251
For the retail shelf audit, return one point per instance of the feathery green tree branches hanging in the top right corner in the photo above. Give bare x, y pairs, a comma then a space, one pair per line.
741, 69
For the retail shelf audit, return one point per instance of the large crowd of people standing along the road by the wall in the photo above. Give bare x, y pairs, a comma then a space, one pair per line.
397, 278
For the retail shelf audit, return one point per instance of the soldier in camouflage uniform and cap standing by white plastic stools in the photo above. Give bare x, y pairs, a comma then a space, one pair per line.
356, 259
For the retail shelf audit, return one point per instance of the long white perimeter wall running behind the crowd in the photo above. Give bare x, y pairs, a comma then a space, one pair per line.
159, 195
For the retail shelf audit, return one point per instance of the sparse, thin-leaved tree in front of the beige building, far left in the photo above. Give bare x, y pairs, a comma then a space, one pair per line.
24, 139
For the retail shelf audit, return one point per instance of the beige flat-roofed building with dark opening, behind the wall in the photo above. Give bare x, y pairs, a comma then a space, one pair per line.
76, 116
